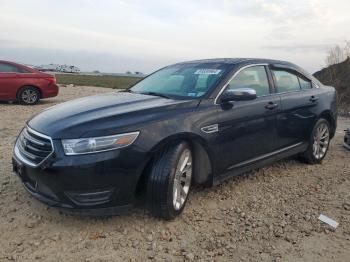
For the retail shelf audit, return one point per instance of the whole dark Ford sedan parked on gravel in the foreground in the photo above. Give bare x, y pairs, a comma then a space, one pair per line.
190, 123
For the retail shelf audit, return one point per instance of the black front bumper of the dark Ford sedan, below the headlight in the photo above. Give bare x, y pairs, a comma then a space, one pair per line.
94, 184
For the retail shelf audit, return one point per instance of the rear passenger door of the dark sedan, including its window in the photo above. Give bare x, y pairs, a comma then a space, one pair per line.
298, 99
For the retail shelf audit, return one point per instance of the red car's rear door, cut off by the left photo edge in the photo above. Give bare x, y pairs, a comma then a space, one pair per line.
9, 81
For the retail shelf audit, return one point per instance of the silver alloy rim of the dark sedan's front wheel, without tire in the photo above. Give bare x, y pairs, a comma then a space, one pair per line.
182, 179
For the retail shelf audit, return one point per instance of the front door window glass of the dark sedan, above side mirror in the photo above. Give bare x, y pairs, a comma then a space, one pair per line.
254, 77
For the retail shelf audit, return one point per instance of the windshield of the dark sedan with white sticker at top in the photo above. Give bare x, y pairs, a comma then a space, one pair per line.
191, 80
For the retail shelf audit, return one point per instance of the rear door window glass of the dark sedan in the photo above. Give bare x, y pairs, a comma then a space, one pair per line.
286, 81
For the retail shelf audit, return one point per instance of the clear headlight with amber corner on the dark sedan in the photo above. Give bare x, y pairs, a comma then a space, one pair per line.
98, 144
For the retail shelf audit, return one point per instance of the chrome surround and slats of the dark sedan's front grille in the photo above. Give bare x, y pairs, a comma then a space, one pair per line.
33, 137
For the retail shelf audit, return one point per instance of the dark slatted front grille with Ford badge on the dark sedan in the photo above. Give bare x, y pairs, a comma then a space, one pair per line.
33, 146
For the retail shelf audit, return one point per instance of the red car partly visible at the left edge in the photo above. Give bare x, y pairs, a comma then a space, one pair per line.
24, 84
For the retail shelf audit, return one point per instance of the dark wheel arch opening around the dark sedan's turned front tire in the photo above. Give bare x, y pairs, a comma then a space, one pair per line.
203, 165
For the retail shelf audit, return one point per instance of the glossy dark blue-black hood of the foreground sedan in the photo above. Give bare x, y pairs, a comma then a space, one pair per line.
103, 114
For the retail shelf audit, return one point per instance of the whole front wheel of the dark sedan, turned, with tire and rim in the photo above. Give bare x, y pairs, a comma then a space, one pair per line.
169, 182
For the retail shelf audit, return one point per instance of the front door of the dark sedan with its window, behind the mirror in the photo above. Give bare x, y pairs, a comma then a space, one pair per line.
247, 130
